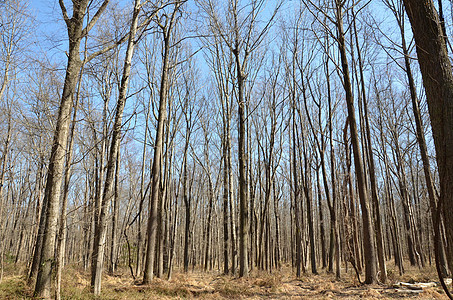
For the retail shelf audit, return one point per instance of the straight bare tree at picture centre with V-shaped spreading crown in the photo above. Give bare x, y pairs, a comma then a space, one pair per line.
242, 39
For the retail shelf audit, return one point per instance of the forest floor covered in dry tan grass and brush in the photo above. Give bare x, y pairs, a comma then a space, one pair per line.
260, 285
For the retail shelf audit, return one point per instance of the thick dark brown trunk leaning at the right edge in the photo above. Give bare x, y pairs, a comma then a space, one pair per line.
437, 77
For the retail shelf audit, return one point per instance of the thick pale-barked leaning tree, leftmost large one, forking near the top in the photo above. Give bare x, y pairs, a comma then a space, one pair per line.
78, 29
